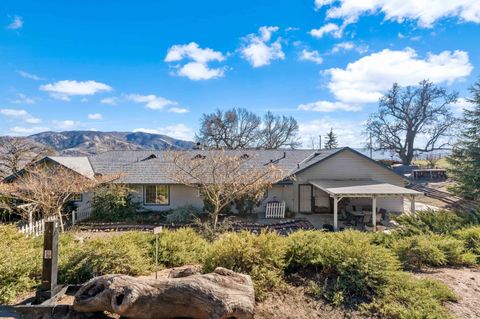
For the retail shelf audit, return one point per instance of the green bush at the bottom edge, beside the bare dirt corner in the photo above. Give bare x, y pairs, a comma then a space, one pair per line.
405, 297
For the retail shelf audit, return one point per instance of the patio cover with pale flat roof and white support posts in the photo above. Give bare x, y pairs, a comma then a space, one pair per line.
339, 189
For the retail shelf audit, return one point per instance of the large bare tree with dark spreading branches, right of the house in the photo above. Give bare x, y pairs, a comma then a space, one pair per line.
405, 114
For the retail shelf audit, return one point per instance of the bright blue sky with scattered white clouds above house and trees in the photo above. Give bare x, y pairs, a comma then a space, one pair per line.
157, 66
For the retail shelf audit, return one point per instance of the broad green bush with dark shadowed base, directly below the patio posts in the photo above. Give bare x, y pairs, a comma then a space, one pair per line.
350, 267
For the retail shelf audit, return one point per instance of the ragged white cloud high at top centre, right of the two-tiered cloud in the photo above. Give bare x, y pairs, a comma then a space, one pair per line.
258, 50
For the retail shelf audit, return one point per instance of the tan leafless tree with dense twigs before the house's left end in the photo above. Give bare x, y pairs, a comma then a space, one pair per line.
49, 187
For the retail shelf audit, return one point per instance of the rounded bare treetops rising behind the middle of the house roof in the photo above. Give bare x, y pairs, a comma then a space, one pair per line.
240, 129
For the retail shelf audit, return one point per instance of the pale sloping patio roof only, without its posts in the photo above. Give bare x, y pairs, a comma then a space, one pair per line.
361, 188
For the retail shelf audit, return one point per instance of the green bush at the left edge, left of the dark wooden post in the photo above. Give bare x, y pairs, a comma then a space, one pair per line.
20, 263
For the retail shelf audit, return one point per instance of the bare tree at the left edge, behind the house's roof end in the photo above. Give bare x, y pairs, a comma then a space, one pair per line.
18, 152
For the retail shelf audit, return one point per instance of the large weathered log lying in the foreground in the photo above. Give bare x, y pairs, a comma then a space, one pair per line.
219, 295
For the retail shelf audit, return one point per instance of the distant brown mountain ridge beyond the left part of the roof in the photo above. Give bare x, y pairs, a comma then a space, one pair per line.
92, 142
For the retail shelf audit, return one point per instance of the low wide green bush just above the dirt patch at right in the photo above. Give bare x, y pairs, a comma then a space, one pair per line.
432, 250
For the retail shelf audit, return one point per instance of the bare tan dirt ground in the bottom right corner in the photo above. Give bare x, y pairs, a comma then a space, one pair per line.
465, 282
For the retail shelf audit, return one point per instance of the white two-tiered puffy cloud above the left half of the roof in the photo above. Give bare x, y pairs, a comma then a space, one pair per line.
197, 69
